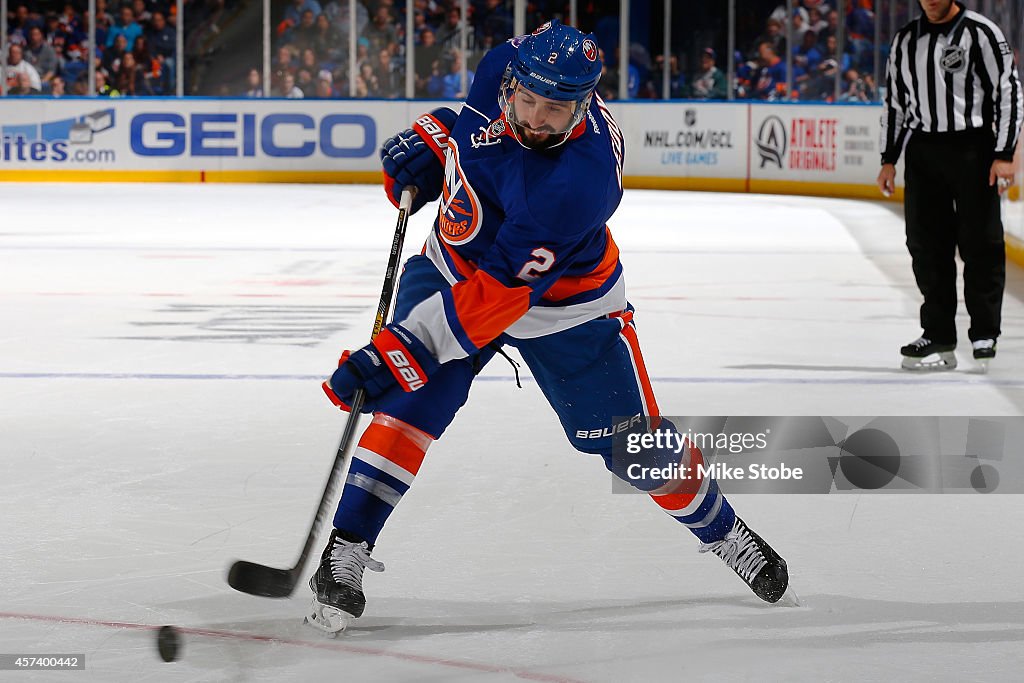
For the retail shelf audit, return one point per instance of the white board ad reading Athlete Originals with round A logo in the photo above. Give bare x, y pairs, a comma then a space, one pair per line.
831, 144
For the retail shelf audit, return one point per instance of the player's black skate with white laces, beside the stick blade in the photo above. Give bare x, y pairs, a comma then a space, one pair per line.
337, 585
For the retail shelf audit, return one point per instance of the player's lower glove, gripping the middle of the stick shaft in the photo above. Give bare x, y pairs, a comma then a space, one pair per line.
395, 362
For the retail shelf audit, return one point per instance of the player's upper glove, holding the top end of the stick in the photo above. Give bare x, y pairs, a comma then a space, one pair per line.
416, 157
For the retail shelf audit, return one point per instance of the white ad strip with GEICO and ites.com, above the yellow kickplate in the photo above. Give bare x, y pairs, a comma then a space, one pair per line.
200, 135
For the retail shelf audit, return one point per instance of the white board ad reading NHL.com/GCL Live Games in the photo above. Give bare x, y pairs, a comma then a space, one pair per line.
699, 140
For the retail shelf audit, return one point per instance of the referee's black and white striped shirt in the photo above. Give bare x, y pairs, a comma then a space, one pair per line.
952, 77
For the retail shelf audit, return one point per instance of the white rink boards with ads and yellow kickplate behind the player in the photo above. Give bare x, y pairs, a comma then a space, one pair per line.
825, 150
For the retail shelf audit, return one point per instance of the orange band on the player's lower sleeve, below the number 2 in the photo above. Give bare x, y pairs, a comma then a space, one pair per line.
486, 308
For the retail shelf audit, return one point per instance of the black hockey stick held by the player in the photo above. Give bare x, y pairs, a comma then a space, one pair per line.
273, 583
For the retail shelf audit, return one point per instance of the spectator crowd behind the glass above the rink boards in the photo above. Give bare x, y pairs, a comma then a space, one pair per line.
311, 40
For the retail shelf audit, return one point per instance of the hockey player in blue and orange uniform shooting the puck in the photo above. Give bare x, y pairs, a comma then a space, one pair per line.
529, 174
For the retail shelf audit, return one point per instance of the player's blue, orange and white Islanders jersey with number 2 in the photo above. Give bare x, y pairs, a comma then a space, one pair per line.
522, 235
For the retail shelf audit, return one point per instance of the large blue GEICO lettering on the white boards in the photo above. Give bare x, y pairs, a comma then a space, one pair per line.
274, 135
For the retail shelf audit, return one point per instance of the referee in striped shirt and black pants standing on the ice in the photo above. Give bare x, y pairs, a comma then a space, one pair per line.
954, 100
